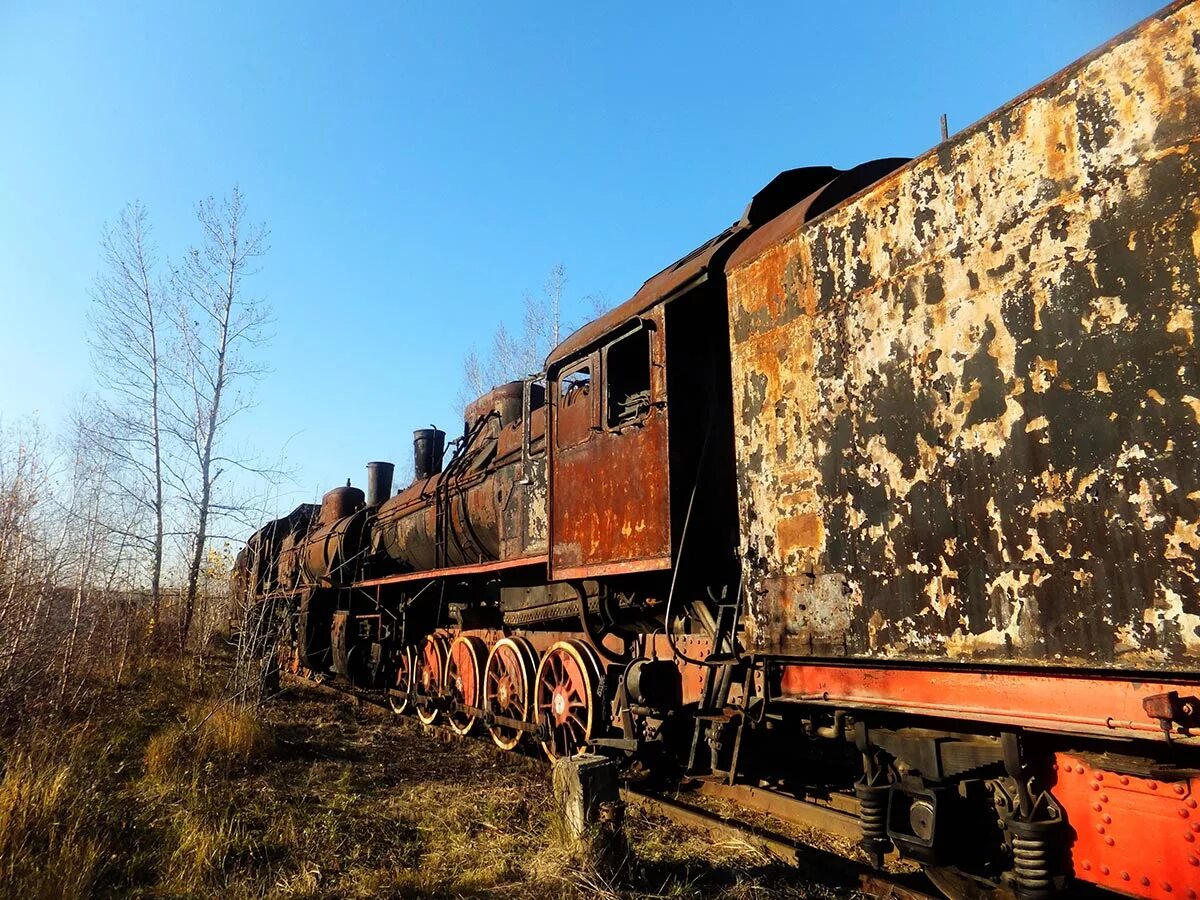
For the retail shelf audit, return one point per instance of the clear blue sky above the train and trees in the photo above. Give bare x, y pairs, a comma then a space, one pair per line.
422, 167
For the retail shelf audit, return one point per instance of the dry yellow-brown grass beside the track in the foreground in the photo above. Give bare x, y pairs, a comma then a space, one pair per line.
165, 791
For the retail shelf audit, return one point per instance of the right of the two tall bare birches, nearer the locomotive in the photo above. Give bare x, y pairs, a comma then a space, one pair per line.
220, 326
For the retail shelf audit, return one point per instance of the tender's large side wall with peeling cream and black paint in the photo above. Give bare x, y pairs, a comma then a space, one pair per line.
968, 401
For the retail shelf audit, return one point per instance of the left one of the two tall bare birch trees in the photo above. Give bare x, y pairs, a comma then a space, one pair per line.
131, 340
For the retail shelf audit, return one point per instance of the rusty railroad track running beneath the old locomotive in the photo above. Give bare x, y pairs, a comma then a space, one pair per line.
811, 861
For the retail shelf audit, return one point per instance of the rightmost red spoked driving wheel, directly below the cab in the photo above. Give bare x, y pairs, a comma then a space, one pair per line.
566, 698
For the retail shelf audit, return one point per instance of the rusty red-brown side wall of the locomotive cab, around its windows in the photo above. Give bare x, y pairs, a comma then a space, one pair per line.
610, 501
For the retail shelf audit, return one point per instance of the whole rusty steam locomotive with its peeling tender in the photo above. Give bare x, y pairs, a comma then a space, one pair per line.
886, 499
